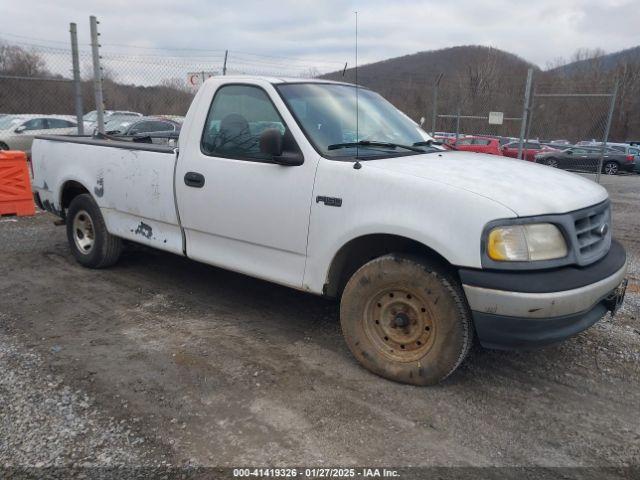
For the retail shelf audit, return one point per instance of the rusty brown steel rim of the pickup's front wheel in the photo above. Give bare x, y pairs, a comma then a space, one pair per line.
398, 342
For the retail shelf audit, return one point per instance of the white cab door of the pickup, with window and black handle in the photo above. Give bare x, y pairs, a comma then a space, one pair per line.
239, 209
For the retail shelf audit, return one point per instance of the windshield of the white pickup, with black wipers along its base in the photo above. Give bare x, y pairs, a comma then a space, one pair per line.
327, 114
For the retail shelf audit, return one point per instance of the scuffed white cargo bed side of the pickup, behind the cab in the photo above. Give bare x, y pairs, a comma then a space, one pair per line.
132, 183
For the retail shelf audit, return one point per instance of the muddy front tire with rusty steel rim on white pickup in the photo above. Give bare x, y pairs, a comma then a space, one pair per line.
406, 319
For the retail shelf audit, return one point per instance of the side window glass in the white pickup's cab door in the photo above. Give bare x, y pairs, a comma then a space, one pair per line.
237, 117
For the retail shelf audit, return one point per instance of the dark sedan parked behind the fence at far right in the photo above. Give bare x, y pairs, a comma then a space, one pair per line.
586, 159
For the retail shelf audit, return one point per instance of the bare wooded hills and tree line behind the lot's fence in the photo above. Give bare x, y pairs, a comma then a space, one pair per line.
473, 82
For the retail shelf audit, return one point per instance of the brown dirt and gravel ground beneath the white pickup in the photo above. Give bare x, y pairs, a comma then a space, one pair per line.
164, 361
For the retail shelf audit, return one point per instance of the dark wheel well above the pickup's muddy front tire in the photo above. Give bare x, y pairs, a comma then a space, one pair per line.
363, 249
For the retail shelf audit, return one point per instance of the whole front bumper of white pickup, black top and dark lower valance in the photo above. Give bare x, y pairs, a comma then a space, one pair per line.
527, 309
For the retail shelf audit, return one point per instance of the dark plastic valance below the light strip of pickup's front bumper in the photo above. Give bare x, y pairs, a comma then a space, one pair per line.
510, 333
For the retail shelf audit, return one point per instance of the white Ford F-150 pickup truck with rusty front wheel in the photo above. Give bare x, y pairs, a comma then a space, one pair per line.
330, 189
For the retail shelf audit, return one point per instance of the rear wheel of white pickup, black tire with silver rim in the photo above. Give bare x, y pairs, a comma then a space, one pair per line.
90, 242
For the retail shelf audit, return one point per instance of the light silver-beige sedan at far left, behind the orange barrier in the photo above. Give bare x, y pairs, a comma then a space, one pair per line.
17, 132
